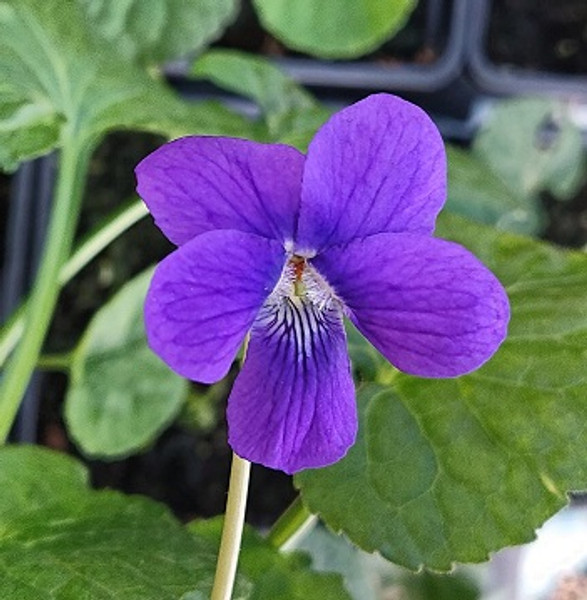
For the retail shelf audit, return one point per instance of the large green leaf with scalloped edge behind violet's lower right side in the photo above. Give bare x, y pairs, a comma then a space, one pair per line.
451, 470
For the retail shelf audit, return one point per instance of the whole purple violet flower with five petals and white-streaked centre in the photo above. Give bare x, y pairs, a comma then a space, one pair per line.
283, 245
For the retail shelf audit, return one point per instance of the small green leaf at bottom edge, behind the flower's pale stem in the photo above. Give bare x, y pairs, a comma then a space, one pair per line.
271, 573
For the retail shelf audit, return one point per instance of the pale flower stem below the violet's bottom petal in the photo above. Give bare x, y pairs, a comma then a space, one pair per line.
233, 529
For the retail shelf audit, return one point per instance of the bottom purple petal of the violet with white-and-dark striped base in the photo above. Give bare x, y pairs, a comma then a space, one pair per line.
292, 406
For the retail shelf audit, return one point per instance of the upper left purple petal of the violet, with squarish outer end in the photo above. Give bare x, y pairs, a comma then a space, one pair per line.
198, 184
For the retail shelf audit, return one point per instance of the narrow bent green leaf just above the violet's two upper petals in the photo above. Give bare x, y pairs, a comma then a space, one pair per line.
290, 113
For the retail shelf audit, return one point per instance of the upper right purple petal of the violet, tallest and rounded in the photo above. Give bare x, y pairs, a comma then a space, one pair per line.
376, 166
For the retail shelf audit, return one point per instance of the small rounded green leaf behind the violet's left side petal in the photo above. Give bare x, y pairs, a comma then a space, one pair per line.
121, 395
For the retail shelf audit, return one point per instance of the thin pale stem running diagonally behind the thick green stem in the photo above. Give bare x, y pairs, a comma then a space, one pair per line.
94, 243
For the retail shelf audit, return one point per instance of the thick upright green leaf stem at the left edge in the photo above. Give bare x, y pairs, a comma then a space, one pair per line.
73, 165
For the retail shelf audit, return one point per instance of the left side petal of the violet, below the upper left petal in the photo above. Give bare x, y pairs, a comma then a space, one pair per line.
205, 296
